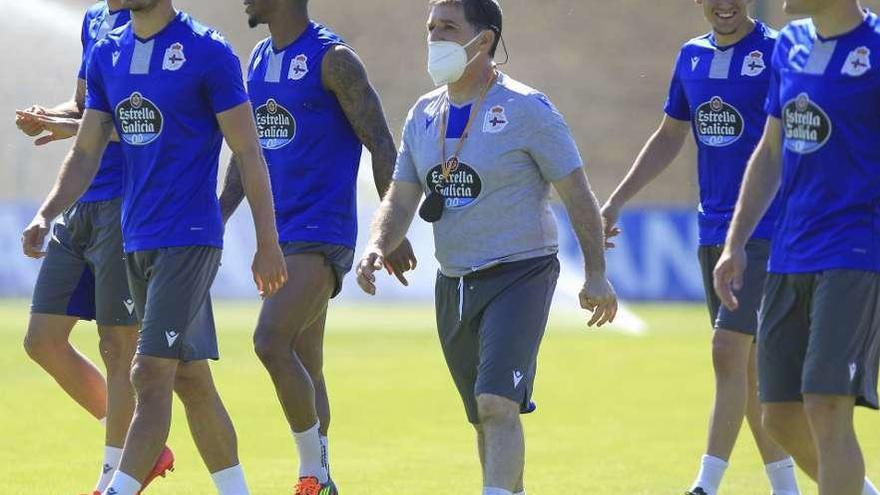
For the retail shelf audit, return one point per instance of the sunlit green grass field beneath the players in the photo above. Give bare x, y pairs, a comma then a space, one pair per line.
617, 413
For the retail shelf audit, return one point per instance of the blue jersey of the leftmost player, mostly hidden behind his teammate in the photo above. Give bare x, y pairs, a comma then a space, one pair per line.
99, 21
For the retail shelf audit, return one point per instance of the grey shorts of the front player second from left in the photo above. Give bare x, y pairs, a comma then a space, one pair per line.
171, 291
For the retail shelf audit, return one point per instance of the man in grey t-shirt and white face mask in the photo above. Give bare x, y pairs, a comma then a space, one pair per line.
487, 185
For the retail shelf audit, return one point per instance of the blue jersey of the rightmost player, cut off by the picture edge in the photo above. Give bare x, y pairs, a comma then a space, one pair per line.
827, 94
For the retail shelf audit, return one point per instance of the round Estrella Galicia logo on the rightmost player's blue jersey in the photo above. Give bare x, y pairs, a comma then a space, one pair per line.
807, 127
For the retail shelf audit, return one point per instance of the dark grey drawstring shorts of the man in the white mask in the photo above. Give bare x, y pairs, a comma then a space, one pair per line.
491, 324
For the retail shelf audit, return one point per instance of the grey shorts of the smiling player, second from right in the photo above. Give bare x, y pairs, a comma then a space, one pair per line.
745, 318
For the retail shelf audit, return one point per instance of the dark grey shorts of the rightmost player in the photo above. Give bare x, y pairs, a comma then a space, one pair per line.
820, 334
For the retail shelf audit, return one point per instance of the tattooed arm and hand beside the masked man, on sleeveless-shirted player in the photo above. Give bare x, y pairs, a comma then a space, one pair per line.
344, 75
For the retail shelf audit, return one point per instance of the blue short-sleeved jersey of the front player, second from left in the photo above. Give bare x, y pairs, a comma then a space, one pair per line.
164, 93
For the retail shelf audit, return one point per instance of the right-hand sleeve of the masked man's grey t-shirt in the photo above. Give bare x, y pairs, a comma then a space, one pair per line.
551, 145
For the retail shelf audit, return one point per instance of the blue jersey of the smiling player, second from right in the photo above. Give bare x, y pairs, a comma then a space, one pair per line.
721, 91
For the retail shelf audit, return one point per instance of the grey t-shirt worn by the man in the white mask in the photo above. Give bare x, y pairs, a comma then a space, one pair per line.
497, 201
